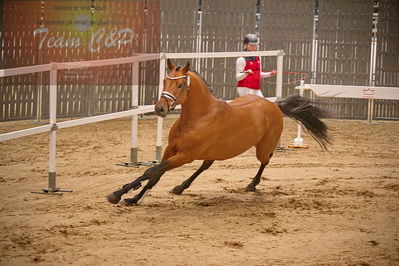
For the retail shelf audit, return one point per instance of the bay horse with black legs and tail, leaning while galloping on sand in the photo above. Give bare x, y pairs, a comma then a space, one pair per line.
210, 129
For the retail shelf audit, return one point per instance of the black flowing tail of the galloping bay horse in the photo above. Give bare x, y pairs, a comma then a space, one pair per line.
302, 110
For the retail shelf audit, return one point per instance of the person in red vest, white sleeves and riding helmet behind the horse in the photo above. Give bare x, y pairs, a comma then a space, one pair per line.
248, 69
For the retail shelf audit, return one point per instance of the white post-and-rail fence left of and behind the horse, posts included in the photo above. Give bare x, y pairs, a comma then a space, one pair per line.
134, 112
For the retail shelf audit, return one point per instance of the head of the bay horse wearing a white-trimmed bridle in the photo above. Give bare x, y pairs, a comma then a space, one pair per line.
175, 87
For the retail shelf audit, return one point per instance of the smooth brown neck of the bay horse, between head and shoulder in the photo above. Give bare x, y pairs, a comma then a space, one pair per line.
199, 102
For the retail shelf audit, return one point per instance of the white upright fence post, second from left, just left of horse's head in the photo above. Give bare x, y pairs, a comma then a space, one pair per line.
135, 104
